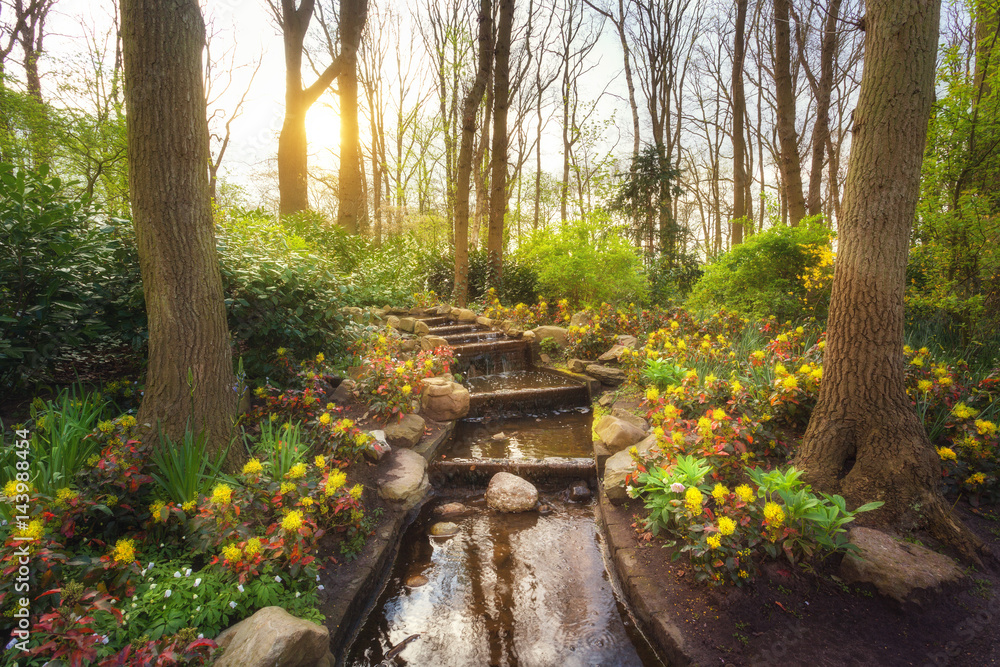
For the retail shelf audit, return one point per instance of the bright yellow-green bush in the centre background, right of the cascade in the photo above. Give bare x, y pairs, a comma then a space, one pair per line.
586, 262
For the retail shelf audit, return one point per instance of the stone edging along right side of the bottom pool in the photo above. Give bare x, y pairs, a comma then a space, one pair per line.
652, 610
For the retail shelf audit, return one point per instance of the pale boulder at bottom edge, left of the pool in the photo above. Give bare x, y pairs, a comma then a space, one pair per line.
274, 638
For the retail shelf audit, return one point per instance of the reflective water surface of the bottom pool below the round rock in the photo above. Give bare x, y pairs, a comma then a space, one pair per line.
507, 590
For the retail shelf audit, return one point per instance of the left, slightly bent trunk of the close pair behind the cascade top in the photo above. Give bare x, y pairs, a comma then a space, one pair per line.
464, 166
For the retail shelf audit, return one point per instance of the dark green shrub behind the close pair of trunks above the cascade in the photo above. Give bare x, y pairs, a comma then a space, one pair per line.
519, 283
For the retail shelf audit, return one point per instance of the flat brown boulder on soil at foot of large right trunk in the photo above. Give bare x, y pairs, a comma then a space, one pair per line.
897, 569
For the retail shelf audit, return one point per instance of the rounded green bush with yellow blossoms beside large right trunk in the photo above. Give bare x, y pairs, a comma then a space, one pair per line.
780, 272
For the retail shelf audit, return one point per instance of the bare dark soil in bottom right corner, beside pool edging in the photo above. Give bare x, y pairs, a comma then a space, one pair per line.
792, 617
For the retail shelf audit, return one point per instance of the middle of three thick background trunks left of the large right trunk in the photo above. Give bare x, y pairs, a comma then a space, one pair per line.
791, 168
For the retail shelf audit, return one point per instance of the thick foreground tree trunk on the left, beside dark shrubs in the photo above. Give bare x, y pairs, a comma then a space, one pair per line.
189, 381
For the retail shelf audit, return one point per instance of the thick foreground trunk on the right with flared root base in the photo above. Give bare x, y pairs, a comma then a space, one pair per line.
864, 439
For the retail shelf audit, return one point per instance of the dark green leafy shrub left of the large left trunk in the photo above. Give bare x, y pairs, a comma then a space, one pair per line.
60, 285
